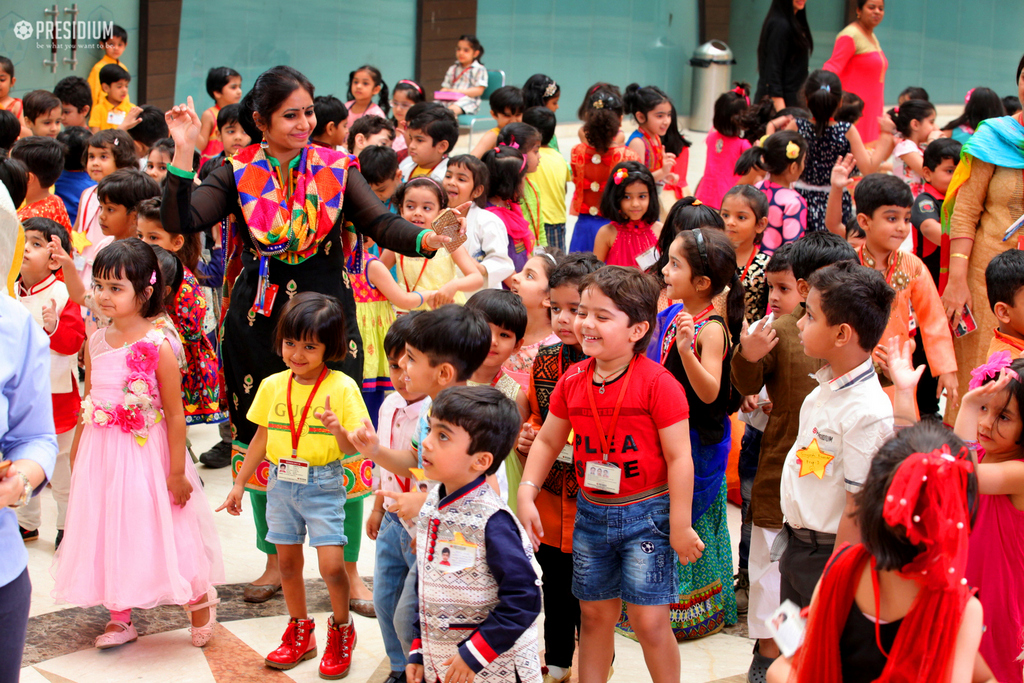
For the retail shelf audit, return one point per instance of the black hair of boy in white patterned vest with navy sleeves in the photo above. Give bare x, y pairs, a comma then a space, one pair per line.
491, 419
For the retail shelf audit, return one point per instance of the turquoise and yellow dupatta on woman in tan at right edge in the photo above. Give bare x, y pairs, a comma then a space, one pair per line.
999, 142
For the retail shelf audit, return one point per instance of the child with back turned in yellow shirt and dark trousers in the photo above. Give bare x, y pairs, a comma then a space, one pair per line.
551, 178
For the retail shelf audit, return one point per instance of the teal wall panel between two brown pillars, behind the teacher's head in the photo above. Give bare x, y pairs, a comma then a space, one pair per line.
324, 39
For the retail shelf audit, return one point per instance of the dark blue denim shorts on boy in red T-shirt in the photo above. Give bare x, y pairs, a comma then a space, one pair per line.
624, 552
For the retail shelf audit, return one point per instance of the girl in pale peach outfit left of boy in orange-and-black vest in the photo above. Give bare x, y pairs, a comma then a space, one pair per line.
532, 286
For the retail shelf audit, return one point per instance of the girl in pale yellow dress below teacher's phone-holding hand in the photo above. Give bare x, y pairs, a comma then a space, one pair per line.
420, 201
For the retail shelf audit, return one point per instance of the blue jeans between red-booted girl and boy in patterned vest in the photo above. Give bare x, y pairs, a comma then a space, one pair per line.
393, 565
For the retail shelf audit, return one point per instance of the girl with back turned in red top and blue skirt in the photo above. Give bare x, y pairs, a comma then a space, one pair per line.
592, 163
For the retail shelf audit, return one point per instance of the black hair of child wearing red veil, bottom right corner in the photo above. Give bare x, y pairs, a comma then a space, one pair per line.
888, 544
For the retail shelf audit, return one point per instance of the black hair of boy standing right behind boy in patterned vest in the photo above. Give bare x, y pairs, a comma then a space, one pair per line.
452, 334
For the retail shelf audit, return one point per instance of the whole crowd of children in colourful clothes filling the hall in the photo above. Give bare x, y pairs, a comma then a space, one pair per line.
546, 431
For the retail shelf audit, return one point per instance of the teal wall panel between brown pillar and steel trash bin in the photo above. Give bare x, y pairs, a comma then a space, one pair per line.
578, 45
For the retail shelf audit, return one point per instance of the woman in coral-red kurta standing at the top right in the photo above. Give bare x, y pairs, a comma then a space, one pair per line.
859, 61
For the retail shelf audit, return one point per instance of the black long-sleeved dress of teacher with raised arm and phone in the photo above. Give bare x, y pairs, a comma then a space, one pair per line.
247, 347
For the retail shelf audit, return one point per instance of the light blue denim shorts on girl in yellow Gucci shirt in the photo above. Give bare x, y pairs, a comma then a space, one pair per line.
318, 506
